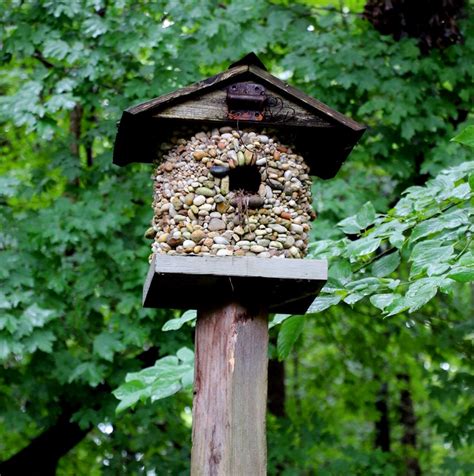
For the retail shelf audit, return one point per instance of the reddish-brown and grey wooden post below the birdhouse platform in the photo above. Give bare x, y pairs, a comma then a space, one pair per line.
230, 392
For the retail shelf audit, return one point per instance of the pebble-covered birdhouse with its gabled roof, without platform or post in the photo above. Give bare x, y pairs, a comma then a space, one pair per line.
233, 157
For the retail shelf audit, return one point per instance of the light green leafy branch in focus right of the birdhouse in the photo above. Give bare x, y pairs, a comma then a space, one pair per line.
430, 227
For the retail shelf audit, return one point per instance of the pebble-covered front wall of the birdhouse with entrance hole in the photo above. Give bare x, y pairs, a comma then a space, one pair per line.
226, 192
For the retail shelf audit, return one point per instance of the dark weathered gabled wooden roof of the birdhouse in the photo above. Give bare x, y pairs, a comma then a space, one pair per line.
322, 135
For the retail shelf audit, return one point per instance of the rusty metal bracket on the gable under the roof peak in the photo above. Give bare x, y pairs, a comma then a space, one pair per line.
246, 101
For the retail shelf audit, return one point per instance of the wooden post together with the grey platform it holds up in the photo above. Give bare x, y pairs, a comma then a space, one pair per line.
230, 383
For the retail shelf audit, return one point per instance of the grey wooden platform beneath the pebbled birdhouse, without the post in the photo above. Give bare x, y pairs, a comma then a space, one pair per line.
200, 282
